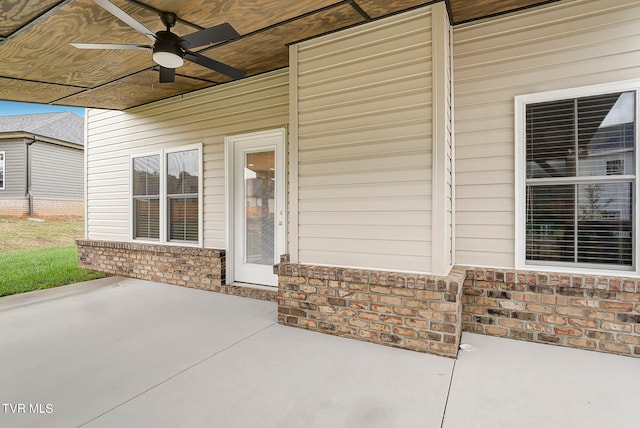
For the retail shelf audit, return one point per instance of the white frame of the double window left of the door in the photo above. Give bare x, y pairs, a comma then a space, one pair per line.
164, 206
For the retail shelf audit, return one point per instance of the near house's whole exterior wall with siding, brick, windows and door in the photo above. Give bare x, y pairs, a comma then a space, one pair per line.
410, 180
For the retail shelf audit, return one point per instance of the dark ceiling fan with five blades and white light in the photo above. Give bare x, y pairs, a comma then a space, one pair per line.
170, 50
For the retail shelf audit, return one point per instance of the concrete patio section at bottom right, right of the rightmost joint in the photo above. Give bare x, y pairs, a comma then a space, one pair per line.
508, 383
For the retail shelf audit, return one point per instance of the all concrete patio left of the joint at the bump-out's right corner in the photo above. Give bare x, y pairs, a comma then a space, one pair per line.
134, 353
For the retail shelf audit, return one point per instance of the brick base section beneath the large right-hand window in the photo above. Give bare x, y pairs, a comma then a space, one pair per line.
582, 311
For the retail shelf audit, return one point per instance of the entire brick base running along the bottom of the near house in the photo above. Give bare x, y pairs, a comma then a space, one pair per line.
417, 312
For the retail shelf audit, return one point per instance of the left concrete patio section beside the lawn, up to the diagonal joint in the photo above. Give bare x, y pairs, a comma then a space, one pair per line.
89, 349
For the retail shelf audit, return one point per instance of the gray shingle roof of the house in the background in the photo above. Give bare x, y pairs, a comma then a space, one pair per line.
64, 126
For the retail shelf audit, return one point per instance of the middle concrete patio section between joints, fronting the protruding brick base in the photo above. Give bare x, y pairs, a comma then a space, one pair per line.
282, 377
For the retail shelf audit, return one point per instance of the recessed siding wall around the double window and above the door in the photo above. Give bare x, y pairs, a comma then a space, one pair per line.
206, 117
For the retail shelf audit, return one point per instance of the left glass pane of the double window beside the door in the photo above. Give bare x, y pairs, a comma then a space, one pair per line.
146, 197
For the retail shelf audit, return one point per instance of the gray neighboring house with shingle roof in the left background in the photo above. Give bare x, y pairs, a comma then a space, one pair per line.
42, 165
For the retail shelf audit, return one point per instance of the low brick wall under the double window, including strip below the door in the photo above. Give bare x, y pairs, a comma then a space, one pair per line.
186, 266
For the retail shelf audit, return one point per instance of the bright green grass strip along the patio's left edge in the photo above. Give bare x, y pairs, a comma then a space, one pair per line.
42, 268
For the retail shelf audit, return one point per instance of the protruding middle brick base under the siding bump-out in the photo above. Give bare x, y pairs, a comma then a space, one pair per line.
411, 311
